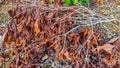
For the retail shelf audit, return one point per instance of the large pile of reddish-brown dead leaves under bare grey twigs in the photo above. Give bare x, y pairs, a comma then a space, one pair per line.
34, 32
